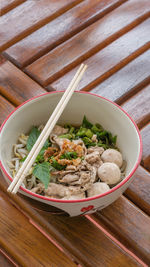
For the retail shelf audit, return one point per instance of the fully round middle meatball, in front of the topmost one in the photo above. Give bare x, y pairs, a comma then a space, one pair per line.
109, 173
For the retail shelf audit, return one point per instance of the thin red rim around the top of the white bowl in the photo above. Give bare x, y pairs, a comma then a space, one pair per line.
79, 200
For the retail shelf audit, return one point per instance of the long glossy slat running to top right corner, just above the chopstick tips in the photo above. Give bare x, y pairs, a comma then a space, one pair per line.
68, 55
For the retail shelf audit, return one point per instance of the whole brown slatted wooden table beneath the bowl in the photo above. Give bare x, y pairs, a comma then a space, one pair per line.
42, 43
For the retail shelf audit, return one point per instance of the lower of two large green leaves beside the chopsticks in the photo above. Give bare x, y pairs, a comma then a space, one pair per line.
42, 172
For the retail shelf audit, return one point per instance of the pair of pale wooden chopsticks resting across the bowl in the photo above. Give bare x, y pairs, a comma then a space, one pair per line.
23, 171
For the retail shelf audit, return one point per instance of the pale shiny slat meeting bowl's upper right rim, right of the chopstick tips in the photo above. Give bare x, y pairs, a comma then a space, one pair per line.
127, 81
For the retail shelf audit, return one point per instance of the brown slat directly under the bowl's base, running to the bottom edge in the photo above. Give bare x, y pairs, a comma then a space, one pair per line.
78, 236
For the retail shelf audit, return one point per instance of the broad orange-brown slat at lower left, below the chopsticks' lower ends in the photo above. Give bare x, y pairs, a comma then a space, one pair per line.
25, 243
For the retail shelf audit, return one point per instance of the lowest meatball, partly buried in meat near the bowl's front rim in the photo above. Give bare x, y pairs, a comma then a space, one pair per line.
97, 189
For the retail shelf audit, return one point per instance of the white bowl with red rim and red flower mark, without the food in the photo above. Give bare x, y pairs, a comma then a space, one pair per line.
113, 118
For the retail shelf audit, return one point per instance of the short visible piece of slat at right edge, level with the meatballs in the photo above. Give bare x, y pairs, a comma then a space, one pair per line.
145, 132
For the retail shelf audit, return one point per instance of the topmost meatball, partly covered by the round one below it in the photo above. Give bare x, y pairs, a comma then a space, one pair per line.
112, 155
